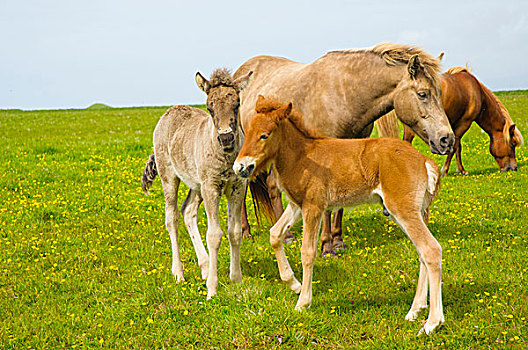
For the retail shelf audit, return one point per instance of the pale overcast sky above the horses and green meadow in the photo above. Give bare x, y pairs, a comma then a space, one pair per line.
71, 54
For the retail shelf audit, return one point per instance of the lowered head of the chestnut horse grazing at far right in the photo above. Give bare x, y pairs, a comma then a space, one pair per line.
502, 146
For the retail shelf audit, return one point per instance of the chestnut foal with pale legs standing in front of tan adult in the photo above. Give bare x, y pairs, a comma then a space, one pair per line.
318, 173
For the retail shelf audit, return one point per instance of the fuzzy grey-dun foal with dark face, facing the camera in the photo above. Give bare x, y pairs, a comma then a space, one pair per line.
200, 149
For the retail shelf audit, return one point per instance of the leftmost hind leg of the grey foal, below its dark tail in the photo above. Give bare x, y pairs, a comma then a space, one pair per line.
170, 189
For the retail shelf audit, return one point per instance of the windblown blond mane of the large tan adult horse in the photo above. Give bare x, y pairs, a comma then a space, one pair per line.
399, 54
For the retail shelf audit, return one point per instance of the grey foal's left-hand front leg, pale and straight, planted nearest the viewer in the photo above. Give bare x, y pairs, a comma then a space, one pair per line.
211, 195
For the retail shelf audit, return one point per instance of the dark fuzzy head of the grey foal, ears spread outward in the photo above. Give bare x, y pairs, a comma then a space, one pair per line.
223, 101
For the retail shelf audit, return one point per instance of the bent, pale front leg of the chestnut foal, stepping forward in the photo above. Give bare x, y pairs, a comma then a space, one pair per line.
291, 215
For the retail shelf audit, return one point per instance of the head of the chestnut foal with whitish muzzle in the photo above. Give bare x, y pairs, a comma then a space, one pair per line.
260, 146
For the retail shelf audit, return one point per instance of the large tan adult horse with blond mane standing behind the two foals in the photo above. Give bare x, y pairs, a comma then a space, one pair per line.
342, 93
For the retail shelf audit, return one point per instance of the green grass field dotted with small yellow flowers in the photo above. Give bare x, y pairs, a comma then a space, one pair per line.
85, 257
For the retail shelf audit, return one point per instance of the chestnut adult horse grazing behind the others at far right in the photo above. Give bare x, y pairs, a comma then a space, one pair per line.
467, 100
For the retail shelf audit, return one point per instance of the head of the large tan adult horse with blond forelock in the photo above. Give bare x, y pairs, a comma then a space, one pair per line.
417, 100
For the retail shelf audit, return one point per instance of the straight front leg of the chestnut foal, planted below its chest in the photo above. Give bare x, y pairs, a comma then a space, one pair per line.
311, 224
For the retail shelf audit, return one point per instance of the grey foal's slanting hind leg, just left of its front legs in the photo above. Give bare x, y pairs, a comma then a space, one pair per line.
189, 212
